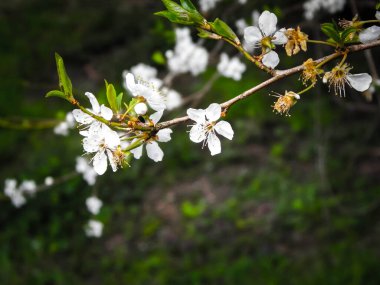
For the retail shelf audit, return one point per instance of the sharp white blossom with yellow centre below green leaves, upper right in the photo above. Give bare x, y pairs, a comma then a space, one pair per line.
264, 33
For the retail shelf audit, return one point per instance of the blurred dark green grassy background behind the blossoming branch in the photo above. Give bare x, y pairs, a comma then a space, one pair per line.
291, 200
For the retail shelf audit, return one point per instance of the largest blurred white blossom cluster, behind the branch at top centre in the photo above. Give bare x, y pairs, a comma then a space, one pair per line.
186, 56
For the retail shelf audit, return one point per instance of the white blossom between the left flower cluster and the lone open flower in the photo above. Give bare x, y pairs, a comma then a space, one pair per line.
153, 150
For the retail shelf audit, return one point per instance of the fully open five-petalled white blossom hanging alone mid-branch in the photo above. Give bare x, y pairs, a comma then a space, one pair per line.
206, 127
